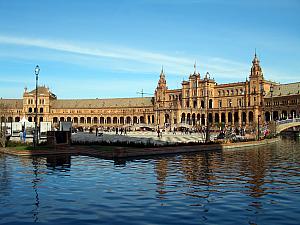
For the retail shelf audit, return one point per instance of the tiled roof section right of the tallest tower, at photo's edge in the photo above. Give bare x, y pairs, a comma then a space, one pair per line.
285, 90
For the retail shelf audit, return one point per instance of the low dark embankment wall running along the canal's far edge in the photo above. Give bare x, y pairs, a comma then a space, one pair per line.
115, 152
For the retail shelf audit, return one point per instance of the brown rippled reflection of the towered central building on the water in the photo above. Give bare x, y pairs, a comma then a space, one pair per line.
209, 174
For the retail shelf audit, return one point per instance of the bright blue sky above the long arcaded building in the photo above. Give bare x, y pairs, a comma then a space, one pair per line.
103, 49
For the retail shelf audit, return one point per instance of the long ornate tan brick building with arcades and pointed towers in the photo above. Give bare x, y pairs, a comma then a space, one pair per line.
200, 101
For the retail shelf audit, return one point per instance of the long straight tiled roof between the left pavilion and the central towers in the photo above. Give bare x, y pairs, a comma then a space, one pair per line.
101, 103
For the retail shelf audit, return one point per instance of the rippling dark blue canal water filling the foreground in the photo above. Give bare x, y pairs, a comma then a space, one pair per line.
250, 186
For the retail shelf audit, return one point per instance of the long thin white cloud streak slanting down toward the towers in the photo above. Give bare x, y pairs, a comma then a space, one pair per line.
174, 64
